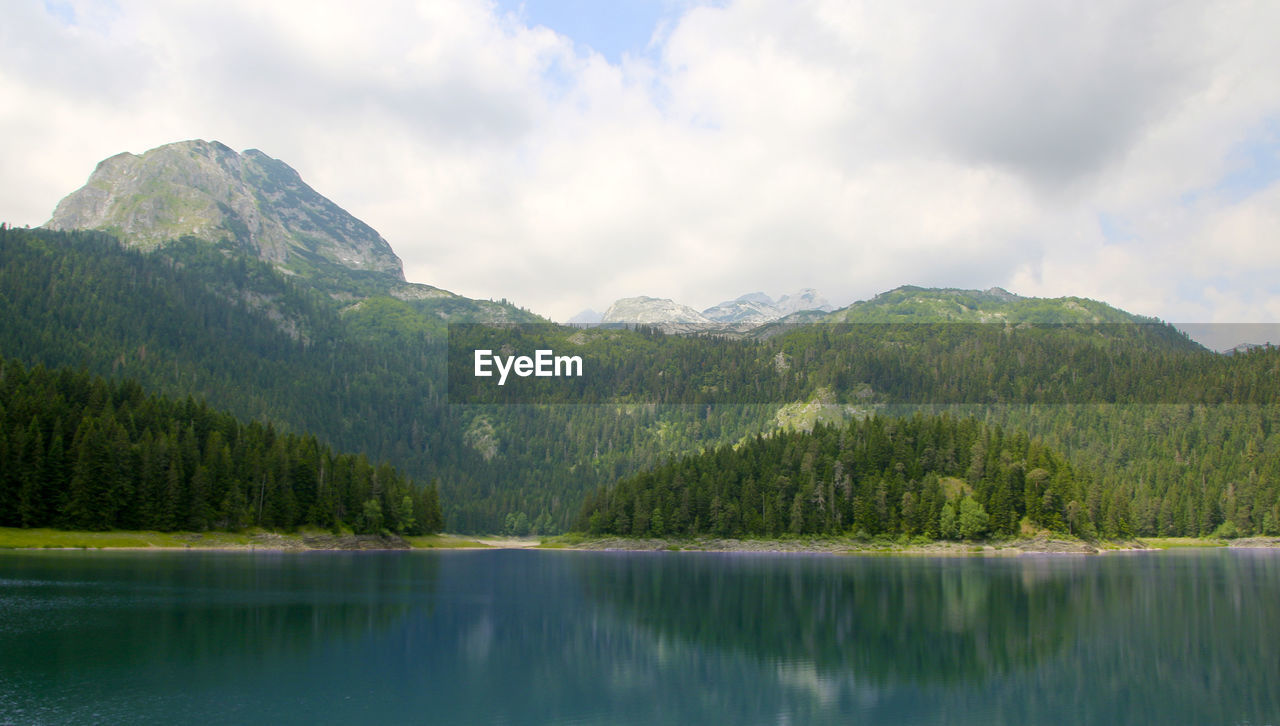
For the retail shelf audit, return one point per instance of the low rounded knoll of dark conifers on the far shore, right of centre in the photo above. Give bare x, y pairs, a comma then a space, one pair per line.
926, 476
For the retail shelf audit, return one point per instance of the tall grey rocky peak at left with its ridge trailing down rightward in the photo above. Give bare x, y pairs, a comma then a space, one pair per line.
250, 204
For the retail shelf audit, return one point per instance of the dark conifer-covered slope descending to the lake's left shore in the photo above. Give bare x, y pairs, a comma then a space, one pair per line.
86, 454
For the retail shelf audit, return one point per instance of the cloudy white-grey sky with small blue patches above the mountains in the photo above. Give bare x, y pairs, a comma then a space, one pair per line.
564, 156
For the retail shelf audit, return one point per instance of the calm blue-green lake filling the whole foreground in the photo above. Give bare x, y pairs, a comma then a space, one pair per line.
516, 638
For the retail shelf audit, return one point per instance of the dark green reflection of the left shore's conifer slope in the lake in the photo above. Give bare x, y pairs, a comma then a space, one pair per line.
106, 610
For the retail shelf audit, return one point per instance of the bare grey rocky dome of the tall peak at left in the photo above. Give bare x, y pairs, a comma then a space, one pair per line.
205, 190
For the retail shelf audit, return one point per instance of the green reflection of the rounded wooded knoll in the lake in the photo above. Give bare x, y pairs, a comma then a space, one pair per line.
875, 620
